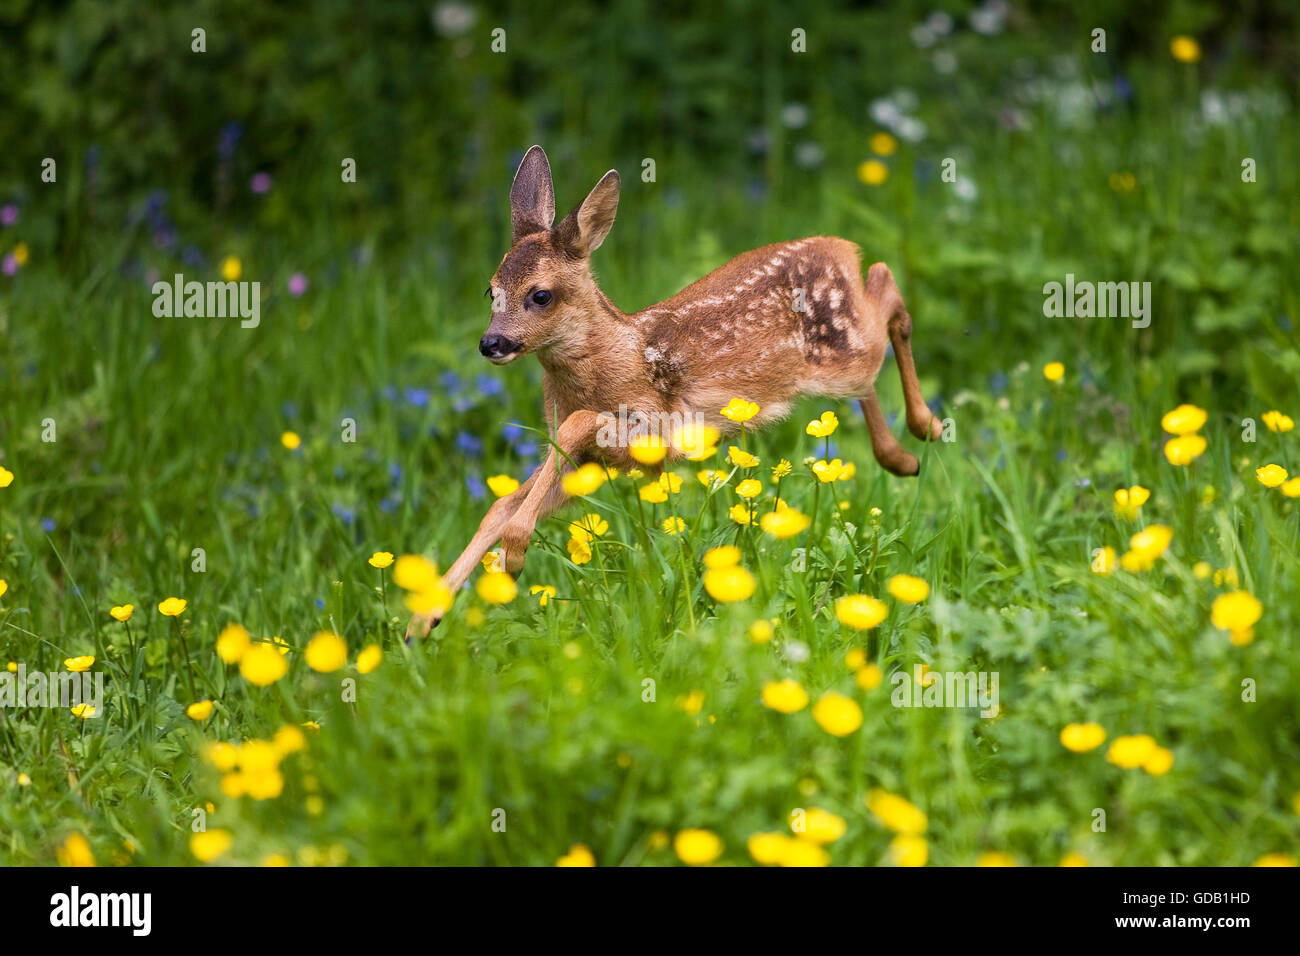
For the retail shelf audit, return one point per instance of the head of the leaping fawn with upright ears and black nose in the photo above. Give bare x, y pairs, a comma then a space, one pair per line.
543, 293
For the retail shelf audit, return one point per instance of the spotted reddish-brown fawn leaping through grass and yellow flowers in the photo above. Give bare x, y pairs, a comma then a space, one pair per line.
774, 325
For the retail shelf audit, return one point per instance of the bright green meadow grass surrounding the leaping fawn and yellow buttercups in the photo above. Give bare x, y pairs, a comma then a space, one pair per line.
168, 440
